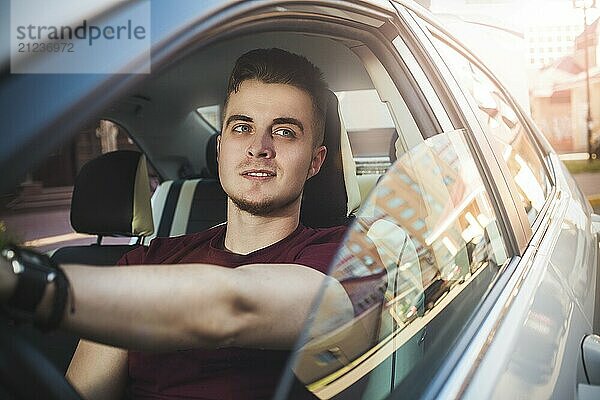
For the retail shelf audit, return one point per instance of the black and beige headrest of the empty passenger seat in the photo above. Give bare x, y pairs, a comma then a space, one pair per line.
111, 196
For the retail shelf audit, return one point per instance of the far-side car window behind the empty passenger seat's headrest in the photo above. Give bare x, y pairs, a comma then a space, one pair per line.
49, 186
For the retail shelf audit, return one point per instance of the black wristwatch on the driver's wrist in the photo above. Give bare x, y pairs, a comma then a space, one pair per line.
34, 271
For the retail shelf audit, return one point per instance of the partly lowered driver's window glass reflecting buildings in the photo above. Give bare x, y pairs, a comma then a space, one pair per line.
407, 255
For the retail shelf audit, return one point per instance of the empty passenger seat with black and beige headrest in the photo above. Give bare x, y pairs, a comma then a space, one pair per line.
111, 197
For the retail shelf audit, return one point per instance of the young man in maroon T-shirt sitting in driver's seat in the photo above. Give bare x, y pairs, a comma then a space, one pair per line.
213, 321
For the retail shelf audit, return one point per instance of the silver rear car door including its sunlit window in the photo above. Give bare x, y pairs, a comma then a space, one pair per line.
535, 347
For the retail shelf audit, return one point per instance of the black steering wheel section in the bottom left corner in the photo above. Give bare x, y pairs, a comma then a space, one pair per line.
25, 373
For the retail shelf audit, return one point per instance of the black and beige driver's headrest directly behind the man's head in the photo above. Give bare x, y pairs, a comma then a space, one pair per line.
332, 196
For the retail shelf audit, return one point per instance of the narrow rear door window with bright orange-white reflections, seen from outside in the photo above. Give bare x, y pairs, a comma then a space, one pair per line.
501, 123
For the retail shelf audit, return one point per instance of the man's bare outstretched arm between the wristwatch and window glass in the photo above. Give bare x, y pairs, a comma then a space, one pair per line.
169, 307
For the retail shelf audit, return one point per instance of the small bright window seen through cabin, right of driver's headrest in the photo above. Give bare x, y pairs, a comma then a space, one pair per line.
370, 129
